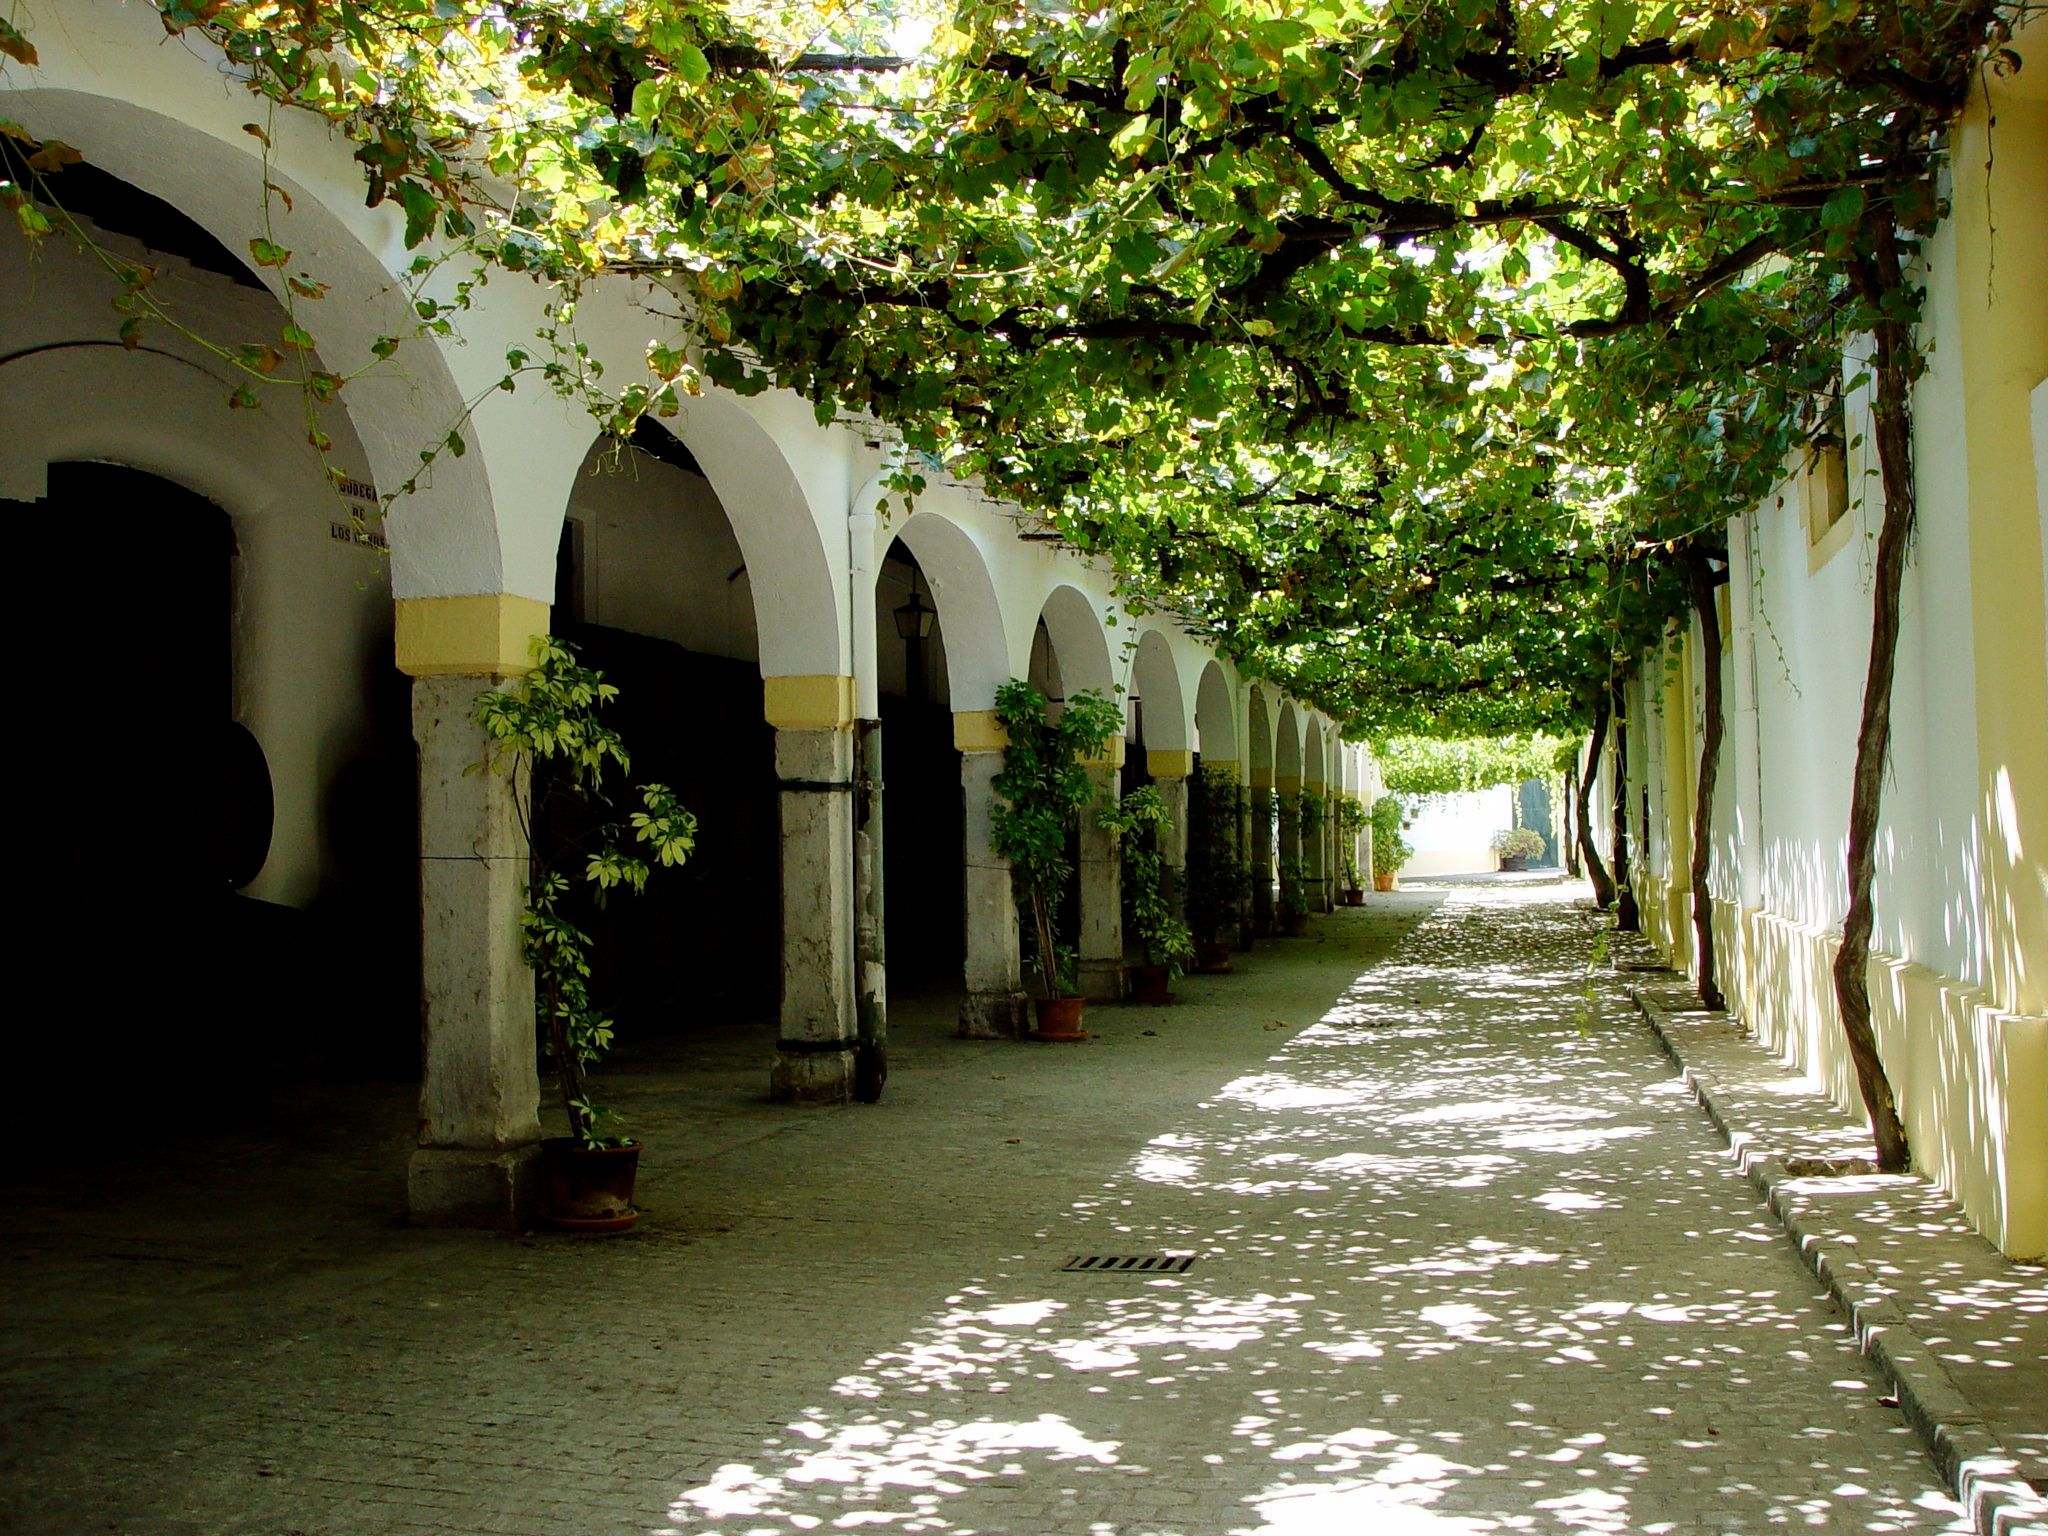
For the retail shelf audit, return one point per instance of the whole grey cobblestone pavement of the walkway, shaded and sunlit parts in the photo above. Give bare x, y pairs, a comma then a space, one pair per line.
1467, 1261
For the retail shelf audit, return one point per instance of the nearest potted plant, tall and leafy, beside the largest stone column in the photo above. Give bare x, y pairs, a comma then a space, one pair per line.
546, 734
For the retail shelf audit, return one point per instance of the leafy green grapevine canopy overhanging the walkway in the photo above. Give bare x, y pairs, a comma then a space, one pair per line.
1404, 349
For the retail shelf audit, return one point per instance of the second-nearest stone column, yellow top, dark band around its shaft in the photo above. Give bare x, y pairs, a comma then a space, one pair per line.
814, 763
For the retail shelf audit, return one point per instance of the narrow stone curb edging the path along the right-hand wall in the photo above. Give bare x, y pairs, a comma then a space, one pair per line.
1981, 1474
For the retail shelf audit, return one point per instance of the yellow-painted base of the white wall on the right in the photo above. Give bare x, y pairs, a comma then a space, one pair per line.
1971, 1080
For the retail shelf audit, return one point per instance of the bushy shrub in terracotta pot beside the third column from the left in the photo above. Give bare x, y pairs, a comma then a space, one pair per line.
1041, 796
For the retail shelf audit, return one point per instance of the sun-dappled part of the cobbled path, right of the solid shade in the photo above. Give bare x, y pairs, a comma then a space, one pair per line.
1467, 1263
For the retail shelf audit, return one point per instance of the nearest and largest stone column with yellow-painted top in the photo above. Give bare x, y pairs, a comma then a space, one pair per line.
480, 1095
